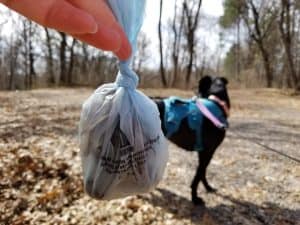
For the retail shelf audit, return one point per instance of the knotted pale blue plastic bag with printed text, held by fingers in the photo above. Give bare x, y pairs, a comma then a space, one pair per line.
123, 149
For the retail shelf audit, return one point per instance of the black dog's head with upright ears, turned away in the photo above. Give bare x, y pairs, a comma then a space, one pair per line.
216, 86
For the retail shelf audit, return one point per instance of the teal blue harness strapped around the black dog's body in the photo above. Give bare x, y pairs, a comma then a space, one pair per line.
177, 109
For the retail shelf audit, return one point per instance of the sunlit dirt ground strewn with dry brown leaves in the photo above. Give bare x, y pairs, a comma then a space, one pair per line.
40, 169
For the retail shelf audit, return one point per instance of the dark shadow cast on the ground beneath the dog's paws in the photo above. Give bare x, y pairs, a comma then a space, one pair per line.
232, 211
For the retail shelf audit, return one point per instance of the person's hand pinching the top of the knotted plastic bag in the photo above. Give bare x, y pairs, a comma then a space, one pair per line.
90, 21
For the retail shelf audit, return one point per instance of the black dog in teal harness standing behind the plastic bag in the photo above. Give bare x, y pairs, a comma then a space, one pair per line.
212, 136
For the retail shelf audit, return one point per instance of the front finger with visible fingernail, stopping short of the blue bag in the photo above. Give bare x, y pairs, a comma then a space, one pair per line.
57, 14
